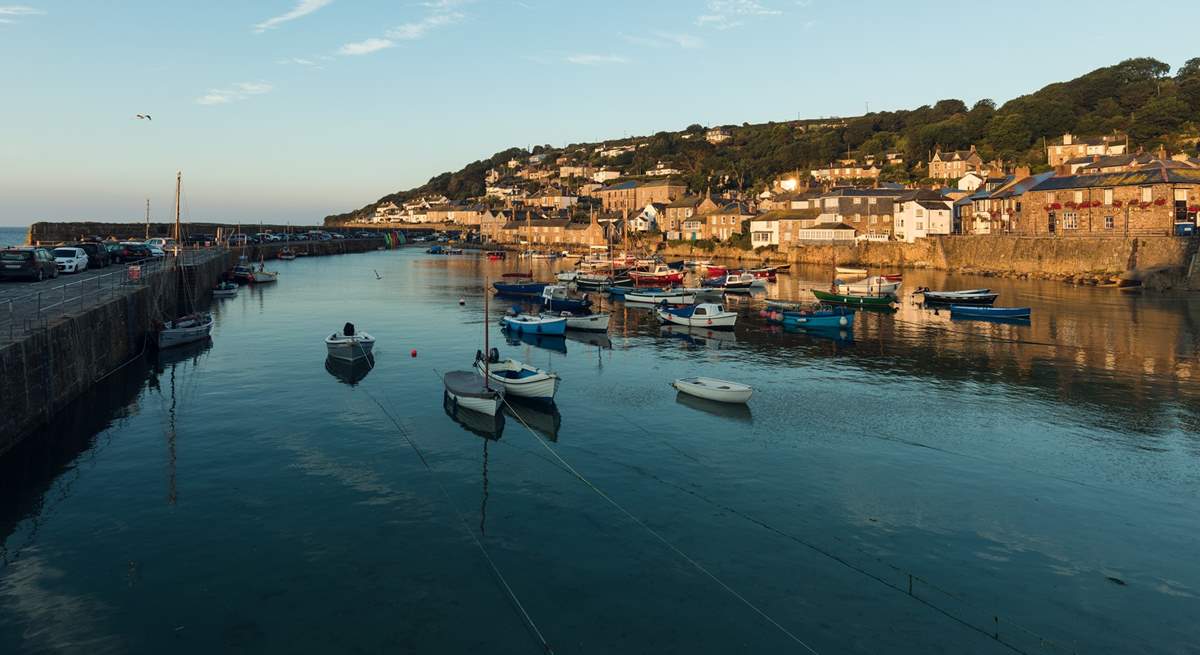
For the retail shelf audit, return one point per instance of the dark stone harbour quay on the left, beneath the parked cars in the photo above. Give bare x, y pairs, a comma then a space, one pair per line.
59, 339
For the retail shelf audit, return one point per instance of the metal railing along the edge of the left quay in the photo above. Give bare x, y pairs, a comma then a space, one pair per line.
26, 314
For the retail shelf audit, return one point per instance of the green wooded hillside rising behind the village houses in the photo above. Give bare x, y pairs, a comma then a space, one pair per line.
1138, 98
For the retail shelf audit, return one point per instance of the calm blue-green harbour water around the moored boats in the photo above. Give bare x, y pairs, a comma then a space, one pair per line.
242, 498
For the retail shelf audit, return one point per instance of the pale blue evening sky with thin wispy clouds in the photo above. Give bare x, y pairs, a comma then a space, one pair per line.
287, 111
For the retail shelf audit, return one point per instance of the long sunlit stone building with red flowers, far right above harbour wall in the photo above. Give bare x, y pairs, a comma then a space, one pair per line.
1154, 201
